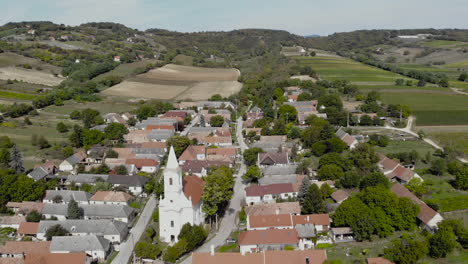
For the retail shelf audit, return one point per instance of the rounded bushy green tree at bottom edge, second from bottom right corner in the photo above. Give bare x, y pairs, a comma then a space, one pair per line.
406, 250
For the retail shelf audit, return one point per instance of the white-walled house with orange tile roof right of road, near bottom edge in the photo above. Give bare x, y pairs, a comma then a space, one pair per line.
270, 239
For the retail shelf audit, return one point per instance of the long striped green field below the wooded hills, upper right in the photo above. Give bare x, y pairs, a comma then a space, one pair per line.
339, 68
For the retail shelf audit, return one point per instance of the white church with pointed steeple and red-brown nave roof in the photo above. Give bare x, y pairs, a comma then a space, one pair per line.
182, 201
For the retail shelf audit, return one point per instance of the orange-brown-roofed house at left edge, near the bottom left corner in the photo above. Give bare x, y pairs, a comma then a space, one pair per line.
20, 249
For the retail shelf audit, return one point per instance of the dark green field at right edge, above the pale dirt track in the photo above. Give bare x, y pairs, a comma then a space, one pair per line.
431, 108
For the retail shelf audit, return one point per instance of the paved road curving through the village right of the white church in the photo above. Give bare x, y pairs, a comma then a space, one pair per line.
228, 222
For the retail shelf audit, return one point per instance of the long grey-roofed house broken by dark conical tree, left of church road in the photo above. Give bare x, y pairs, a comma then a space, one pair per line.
116, 212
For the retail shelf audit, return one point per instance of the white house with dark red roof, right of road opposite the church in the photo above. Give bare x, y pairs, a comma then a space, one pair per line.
255, 194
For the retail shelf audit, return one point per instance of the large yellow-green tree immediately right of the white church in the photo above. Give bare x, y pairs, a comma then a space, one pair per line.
217, 191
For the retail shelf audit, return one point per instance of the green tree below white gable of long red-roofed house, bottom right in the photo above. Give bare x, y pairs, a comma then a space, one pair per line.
442, 243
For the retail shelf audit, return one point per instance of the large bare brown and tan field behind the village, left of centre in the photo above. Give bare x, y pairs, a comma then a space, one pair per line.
176, 82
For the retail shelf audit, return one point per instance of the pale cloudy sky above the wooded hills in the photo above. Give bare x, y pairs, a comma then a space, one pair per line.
302, 17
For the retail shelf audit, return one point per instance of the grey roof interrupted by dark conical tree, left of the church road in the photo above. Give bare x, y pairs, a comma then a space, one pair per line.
91, 210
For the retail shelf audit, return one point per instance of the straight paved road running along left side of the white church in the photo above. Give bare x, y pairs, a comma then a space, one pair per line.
126, 248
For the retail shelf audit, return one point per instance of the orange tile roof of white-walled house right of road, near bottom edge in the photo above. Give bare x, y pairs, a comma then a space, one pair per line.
267, 237
